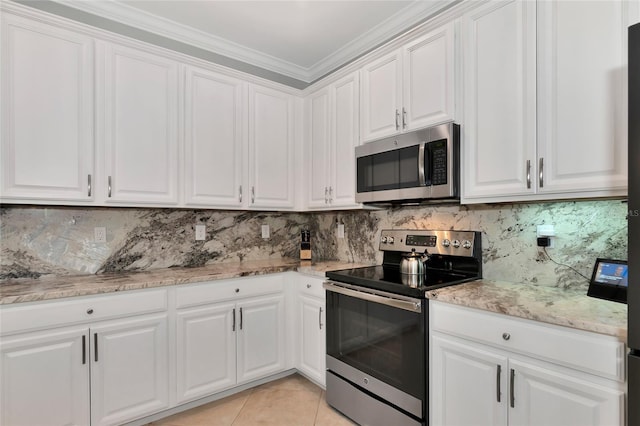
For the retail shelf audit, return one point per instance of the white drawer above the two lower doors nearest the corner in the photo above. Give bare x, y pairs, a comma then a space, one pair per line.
217, 291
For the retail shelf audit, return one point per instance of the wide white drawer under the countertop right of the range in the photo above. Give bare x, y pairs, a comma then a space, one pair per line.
593, 353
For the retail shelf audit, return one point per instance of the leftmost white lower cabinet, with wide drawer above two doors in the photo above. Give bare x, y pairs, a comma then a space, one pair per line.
103, 372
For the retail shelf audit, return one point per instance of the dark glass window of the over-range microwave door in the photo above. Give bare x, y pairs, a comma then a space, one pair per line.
389, 170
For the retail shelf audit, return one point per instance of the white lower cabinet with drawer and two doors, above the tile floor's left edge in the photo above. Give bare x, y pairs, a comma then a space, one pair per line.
228, 333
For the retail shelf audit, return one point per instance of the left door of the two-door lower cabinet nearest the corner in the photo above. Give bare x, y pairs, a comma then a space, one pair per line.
206, 354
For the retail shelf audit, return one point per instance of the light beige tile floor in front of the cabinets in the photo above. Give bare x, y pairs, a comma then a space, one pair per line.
291, 401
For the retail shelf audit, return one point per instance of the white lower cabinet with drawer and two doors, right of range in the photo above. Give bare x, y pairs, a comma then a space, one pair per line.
484, 371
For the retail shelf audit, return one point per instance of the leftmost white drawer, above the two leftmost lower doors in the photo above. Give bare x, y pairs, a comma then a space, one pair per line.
41, 315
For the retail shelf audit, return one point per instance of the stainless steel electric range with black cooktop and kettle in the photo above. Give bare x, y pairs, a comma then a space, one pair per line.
377, 330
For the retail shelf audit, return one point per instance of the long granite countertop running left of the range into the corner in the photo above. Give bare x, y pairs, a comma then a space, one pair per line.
55, 287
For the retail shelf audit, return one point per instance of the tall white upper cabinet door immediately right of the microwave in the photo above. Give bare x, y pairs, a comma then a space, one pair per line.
499, 135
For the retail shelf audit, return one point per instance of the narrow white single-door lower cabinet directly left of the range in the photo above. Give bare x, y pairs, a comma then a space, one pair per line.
311, 337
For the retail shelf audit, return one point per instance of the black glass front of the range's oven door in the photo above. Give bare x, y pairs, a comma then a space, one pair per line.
385, 342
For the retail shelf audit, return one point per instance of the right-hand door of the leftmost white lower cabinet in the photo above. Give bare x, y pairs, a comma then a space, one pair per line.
129, 369
